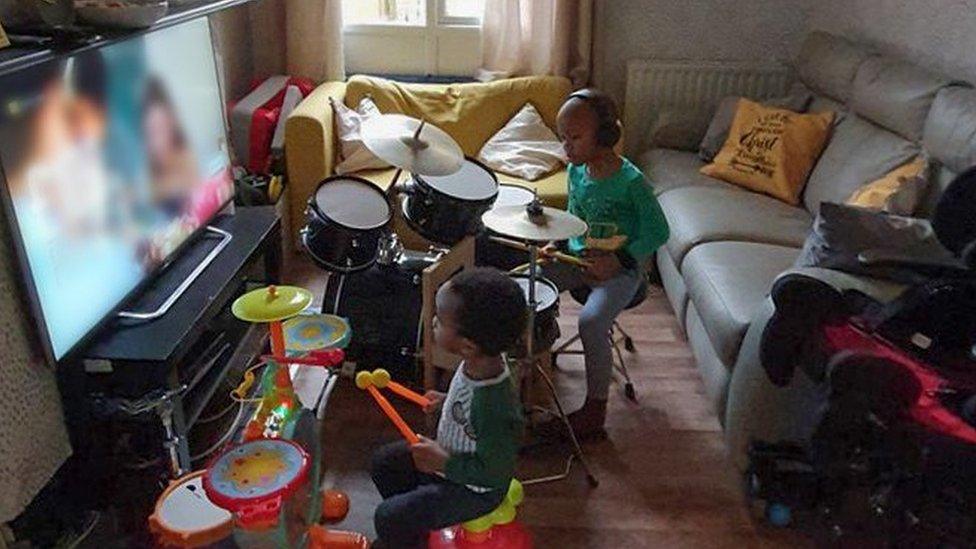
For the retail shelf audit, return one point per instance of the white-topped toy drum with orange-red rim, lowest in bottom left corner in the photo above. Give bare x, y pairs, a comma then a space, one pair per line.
185, 517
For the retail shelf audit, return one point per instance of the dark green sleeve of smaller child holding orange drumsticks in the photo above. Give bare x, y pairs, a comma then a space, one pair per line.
497, 424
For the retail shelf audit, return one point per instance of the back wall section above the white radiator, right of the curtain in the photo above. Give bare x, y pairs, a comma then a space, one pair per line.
692, 29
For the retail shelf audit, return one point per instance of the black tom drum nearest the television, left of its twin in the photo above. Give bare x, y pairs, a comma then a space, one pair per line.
345, 219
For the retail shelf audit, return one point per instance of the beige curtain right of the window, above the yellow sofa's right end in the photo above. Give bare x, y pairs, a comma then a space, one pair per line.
521, 37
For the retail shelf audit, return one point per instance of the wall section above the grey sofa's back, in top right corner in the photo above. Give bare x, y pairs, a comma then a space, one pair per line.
940, 34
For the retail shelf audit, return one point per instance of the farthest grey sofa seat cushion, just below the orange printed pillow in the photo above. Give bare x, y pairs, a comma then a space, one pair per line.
707, 214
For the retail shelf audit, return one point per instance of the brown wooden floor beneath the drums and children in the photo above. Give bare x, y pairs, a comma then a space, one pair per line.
664, 479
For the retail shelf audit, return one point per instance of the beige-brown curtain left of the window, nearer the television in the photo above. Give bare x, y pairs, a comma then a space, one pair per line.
298, 38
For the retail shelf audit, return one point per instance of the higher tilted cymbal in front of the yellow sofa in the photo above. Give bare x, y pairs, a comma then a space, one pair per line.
412, 145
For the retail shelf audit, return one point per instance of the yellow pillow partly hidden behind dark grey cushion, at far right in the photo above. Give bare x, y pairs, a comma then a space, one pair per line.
898, 192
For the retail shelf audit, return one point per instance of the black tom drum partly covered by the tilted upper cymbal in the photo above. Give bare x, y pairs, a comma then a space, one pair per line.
447, 208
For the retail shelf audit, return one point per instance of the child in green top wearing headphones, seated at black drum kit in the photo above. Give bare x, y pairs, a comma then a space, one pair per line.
626, 225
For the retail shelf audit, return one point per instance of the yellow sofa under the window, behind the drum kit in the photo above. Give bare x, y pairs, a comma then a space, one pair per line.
471, 113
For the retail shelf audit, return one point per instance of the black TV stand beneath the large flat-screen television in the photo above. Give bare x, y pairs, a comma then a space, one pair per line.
171, 366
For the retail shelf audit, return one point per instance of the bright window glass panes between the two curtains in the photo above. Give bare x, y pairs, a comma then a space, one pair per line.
411, 12
